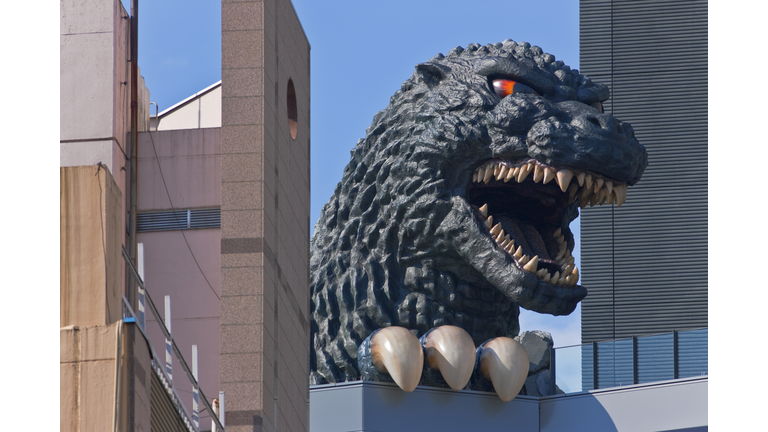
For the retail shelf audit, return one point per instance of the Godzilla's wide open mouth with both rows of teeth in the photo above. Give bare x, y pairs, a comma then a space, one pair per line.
524, 211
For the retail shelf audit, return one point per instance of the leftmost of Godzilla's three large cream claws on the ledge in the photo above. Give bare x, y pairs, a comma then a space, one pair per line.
397, 352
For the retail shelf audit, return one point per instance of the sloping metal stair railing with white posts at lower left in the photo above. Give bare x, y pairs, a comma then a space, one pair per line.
163, 369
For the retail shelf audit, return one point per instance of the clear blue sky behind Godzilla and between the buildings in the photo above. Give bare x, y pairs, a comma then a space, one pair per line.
361, 53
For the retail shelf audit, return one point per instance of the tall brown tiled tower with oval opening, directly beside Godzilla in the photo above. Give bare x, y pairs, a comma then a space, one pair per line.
265, 218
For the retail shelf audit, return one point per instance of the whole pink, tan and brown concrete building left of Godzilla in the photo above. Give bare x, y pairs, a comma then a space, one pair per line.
223, 218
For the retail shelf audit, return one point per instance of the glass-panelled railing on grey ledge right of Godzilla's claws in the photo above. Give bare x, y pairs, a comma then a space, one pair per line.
629, 361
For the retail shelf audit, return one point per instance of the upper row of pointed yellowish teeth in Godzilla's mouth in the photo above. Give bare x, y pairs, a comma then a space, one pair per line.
586, 187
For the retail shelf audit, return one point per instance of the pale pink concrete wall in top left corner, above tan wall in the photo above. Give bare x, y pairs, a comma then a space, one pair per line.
95, 85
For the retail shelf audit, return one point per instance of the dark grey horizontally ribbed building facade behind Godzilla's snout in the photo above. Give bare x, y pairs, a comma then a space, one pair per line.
645, 263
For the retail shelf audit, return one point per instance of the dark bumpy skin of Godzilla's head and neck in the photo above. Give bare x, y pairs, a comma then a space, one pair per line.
400, 243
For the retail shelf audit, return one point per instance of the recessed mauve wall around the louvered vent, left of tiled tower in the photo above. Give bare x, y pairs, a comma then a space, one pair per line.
190, 162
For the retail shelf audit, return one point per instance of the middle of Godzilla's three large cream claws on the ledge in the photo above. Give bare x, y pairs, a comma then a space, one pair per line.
450, 350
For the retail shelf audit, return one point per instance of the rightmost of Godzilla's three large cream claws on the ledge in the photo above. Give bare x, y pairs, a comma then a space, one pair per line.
505, 363
